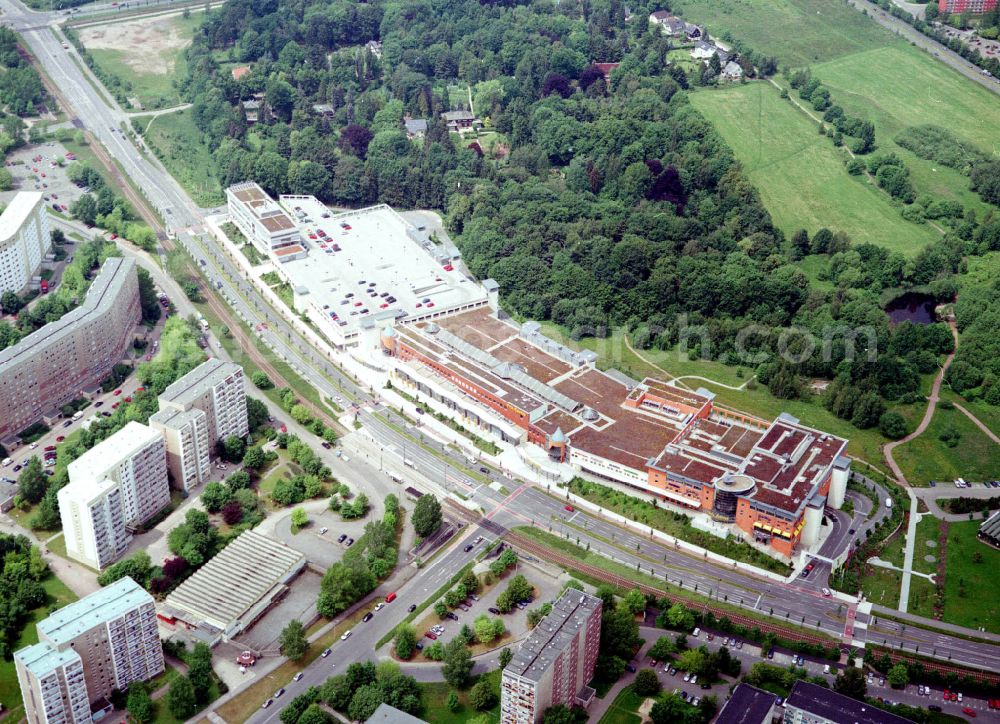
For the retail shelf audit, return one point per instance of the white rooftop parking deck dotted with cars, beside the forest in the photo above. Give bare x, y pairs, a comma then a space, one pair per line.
379, 251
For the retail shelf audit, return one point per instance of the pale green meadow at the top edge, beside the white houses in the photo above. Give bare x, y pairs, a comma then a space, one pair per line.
797, 32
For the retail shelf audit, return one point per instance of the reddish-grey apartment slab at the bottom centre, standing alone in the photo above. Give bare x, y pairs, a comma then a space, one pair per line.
555, 663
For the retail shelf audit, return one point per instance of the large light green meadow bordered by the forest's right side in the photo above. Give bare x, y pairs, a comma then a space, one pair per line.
799, 173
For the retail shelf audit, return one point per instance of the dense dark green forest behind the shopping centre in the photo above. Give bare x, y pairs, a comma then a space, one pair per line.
595, 201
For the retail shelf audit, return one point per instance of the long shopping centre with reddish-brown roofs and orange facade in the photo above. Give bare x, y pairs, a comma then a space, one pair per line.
771, 480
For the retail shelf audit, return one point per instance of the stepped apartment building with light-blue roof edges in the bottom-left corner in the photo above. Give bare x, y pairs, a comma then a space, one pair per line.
88, 649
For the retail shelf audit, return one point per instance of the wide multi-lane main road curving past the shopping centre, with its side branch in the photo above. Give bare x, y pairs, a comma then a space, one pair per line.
444, 467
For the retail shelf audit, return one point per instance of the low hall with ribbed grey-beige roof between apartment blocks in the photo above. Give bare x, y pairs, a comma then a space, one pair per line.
235, 588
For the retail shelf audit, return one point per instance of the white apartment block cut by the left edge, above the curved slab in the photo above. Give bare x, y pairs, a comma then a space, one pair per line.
24, 240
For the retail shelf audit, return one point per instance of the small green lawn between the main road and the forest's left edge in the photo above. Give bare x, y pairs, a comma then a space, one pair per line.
181, 147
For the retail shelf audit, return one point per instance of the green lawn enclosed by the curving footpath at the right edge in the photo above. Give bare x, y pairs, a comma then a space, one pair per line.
926, 457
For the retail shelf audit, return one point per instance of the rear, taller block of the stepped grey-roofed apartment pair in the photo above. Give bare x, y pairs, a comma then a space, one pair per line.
217, 389
